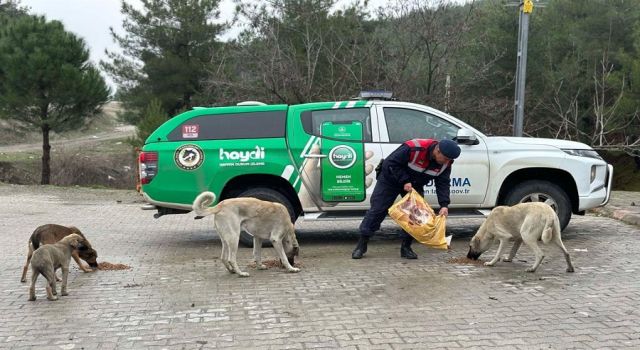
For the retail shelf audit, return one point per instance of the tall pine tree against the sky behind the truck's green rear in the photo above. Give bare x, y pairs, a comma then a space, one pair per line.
167, 47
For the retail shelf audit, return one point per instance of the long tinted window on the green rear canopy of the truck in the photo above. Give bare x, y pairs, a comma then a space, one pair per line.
251, 125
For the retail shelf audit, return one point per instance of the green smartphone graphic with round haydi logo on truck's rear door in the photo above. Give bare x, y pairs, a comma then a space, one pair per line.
342, 170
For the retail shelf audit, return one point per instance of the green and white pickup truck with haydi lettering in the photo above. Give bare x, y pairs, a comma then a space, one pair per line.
317, 160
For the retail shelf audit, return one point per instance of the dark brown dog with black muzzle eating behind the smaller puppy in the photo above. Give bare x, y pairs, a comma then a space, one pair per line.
51, 233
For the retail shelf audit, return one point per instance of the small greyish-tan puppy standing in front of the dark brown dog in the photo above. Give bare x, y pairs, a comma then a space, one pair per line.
50, 257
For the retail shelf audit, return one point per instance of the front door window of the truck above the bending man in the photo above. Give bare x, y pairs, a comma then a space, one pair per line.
405, 124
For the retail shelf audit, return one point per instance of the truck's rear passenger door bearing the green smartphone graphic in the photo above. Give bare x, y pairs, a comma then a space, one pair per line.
333, 150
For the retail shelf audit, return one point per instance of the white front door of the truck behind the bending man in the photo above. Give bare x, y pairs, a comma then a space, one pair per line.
469, 173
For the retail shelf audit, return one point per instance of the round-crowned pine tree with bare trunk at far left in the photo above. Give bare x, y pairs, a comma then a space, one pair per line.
47, 80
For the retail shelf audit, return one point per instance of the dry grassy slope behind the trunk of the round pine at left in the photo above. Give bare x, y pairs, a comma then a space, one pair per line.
96, 154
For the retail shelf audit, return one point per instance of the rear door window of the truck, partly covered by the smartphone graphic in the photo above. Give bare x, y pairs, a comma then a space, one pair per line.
312, 120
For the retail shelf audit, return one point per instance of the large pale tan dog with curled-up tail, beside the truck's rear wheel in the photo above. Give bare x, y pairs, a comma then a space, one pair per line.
262, 219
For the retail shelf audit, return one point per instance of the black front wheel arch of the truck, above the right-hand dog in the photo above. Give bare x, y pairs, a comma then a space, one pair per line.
556, 176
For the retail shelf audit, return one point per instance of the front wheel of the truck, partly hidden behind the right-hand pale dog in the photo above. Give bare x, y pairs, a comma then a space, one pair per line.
542, 191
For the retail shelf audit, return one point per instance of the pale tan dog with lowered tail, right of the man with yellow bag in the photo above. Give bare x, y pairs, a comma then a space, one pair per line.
524, 222
